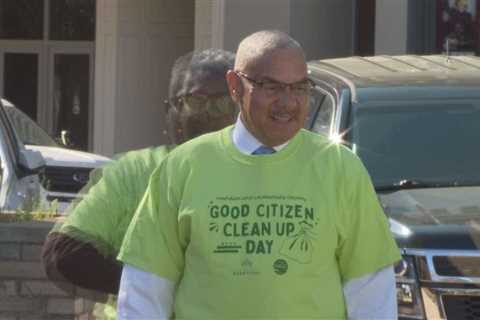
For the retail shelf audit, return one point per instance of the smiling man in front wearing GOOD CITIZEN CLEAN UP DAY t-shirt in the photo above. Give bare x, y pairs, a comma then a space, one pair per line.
261, 220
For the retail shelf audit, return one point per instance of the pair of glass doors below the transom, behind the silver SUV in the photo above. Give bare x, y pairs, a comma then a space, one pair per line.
56, 92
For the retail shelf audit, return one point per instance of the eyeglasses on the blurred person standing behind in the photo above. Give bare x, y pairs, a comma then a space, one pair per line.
219, 104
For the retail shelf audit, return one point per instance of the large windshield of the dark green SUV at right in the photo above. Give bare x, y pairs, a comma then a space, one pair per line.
419, 145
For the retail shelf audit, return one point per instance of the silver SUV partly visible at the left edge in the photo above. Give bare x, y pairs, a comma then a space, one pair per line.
35, 170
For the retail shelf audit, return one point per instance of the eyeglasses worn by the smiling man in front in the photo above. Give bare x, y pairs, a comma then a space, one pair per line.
274, 88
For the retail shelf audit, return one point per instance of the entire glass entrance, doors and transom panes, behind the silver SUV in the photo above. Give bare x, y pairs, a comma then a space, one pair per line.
46, 64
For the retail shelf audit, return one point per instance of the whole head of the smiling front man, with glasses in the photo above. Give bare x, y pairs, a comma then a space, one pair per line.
269, 68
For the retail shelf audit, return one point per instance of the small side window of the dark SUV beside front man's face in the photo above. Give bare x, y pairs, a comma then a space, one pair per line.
321, 111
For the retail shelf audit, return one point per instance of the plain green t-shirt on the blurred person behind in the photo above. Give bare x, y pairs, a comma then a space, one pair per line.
104, 212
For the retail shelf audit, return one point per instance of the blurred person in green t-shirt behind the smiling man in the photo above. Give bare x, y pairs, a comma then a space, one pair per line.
82, 250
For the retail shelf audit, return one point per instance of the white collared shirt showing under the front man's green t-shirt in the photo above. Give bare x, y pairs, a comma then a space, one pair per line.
146, 295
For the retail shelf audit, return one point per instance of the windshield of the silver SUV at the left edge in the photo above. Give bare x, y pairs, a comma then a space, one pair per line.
27, 130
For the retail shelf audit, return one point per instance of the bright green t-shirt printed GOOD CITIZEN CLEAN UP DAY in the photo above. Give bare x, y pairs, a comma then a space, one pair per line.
259, 237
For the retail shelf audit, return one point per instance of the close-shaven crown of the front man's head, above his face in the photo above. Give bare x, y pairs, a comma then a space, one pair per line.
259, 45
